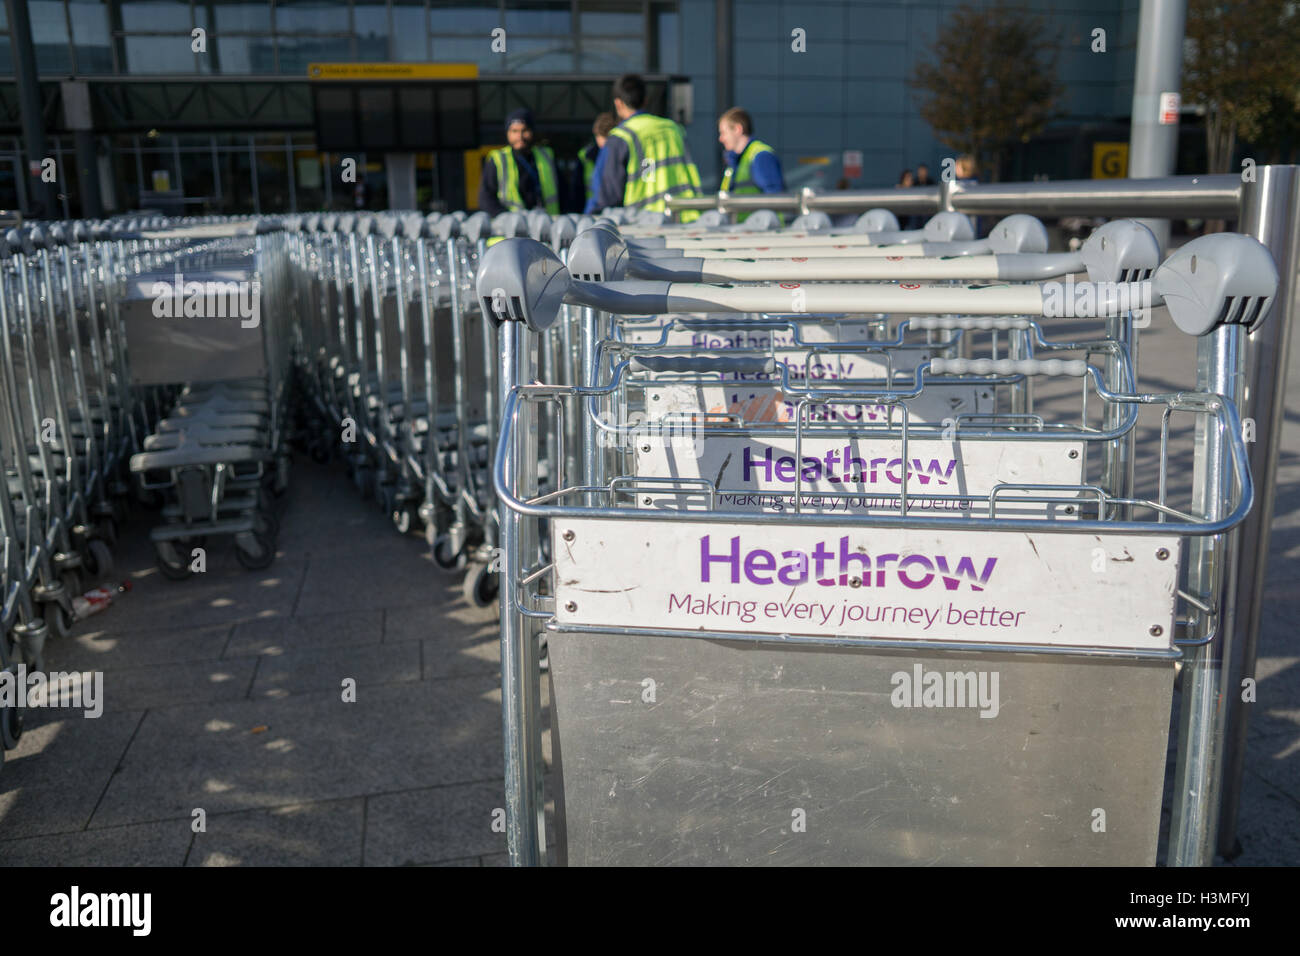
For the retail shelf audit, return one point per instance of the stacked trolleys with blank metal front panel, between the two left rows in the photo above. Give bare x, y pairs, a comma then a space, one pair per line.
210, 326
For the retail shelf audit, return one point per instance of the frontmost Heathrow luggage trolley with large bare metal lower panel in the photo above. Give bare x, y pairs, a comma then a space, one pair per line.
743, 725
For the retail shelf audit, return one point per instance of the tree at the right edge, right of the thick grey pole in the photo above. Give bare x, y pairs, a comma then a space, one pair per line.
1242, 64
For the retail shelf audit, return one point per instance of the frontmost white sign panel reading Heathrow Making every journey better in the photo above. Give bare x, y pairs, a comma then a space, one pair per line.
1098, 591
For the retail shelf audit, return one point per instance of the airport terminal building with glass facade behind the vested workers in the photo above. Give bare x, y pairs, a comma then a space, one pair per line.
232, 107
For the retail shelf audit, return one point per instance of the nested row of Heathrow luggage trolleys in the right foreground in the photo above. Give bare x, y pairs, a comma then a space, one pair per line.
816, 591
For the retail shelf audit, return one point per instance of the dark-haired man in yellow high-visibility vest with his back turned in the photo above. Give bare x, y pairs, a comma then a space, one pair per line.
645, 159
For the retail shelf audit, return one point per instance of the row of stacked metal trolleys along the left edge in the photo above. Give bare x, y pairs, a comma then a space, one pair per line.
71, 418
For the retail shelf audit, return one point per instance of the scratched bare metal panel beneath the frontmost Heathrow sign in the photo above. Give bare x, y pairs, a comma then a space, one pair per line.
739, 739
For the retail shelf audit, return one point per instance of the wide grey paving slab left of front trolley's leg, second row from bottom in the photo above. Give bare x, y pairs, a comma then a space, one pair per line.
304, 749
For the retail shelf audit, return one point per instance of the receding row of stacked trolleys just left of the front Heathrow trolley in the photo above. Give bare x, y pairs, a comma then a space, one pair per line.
400, 370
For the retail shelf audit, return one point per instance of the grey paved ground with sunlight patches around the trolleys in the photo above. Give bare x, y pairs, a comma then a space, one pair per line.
224, 694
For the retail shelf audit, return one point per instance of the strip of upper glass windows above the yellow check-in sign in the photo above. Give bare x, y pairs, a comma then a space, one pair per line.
281, 37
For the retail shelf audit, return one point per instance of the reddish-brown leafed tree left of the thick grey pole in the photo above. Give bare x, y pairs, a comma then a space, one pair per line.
986, 86
